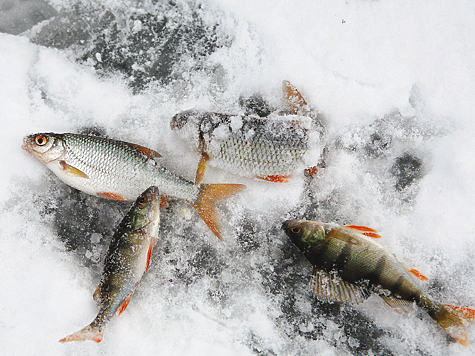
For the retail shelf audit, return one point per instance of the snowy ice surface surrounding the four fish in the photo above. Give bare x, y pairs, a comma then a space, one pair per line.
399, 159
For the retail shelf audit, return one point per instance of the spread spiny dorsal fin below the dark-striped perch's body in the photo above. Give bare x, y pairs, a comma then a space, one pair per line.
331, 288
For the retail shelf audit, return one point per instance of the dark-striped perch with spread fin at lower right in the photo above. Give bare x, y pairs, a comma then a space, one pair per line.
349, 266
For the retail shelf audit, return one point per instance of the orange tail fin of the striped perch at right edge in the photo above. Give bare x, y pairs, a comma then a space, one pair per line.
454, 319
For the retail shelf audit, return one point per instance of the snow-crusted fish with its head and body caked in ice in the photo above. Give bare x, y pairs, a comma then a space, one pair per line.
272, 148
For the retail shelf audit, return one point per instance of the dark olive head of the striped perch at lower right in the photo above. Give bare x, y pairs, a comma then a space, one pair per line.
304, 233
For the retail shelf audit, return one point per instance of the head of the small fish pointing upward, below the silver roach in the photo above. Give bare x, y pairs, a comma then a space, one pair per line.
146, 209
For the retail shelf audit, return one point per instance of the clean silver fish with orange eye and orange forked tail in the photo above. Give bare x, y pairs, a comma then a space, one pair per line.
121, 170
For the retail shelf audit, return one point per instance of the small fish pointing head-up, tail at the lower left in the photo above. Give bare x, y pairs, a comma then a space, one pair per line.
127, 259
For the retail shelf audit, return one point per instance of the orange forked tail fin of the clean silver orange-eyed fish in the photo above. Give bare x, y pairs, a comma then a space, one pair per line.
209, 194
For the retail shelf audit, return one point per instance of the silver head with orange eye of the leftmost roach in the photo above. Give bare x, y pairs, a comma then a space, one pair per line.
46, 147
